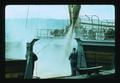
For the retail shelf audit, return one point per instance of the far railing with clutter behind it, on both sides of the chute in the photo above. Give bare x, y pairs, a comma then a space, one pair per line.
91, 29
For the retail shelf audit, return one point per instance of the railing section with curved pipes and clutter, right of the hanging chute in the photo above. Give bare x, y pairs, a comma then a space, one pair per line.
95, 29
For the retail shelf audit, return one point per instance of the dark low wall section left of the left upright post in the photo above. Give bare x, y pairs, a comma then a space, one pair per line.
15, 68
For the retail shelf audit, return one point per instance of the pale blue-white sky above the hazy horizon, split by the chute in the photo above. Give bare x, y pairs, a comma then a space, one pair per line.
57, 11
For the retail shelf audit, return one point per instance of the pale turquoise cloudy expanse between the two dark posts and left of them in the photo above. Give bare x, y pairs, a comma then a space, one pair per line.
52, 59
